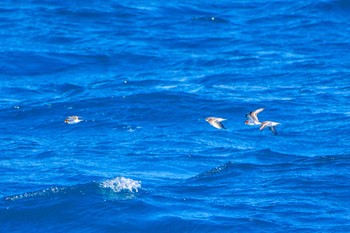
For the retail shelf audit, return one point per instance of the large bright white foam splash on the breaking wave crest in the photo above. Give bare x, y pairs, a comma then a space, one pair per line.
121, 183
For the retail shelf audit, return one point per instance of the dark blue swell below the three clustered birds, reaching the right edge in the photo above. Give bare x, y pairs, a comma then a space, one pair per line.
268, 163
